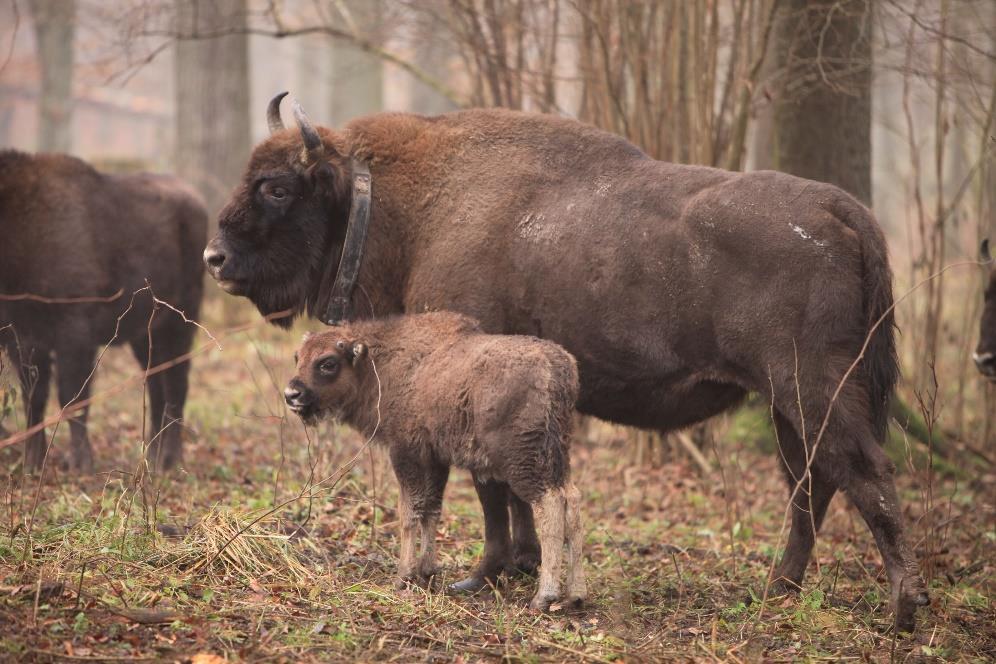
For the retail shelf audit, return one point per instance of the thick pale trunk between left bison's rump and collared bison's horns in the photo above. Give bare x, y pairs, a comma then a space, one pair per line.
212, 97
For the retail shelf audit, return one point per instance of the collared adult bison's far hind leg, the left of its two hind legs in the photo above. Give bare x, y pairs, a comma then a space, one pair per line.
809, 507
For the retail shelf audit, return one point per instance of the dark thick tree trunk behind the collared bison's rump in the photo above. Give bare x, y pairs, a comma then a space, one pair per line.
822, 127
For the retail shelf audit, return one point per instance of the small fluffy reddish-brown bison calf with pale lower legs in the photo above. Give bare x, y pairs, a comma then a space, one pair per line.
439, 392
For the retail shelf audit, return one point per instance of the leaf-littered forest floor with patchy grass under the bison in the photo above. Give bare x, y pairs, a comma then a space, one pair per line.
234, 558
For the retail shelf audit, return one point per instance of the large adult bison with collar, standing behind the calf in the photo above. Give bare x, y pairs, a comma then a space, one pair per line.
679, 289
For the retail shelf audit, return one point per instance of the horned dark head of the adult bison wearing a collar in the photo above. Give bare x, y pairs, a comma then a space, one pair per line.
283, 220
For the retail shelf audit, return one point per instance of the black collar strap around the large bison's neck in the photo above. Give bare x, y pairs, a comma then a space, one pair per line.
352, 247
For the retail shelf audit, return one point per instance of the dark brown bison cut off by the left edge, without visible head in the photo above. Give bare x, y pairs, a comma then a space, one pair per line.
72, 233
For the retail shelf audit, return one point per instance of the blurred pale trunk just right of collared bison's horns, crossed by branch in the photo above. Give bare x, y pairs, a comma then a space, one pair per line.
357, 77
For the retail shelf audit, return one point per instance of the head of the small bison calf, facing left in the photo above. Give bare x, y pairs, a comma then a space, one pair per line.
328, 380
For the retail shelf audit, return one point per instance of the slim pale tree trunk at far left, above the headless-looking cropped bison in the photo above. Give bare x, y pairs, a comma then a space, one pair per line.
55, 25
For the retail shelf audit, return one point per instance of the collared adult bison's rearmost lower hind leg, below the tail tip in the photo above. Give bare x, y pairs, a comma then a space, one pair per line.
870, 486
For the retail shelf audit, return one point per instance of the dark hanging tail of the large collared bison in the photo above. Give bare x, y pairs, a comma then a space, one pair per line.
880, 365
